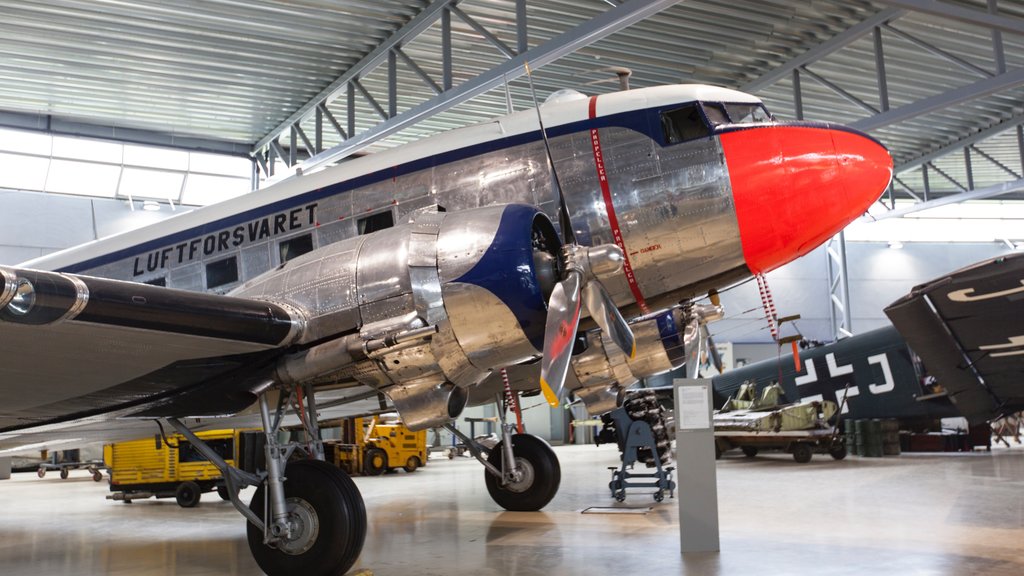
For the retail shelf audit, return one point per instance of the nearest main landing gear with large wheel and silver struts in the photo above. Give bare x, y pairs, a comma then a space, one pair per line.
307, 516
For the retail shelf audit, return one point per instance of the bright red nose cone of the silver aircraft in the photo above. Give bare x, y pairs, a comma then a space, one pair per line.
797, 186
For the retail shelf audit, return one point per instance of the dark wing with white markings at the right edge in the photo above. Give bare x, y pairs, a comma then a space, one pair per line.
968, 327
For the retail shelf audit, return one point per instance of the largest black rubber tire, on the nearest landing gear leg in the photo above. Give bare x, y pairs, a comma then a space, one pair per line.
340, 514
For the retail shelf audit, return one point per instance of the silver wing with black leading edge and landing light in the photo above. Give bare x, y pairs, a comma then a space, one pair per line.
74, 348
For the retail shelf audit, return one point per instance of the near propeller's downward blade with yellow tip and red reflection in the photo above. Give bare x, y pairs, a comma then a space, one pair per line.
560, 337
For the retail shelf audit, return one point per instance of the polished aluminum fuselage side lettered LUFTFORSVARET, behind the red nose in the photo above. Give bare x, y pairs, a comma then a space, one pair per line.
674, 209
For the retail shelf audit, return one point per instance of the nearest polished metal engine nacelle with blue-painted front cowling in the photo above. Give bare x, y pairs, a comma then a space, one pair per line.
471, 286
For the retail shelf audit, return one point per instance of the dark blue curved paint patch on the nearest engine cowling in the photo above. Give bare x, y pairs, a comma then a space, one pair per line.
506, 270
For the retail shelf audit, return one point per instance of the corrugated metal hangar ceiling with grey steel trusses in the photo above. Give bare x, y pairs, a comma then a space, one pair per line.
942, 84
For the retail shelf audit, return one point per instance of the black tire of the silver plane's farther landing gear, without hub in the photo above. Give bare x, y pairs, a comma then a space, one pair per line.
546, 472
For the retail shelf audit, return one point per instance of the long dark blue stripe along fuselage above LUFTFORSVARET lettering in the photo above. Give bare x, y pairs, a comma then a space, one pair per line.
645, 121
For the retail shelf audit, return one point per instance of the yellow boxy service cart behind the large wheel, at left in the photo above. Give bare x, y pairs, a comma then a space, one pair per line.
155, 468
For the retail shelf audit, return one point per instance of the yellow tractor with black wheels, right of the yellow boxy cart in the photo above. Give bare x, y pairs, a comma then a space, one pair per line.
374, 446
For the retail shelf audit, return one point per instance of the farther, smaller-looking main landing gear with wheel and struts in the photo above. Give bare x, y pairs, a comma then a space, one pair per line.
522, 472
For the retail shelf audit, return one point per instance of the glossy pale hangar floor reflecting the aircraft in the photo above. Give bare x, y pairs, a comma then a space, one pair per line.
954, 514
